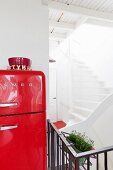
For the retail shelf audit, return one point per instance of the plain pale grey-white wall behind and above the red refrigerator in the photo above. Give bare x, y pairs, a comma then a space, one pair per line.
24, 32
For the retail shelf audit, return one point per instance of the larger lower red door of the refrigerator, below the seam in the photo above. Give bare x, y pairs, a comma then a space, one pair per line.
22, 142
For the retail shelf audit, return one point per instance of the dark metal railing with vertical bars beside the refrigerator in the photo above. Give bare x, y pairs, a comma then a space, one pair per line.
62, 156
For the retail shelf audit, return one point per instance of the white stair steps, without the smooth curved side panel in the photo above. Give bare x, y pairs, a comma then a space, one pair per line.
87, 92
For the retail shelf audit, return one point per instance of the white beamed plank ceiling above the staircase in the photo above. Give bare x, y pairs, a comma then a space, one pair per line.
67, 15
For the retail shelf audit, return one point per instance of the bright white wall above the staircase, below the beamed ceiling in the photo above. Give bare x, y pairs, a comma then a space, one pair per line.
94, 46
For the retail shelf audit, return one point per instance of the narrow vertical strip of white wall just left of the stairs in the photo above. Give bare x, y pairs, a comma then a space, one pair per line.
63, 82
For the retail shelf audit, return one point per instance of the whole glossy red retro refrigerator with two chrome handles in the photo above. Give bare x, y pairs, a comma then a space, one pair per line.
22, 120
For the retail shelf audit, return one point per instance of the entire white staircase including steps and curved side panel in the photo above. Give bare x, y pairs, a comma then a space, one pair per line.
92, 109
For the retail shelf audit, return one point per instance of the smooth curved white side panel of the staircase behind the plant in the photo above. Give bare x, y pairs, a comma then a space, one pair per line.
98, 126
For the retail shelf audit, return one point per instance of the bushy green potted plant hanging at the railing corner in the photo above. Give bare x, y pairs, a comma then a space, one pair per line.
81, 143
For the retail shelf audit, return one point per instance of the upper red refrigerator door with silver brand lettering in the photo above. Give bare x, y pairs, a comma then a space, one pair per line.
22, 92
